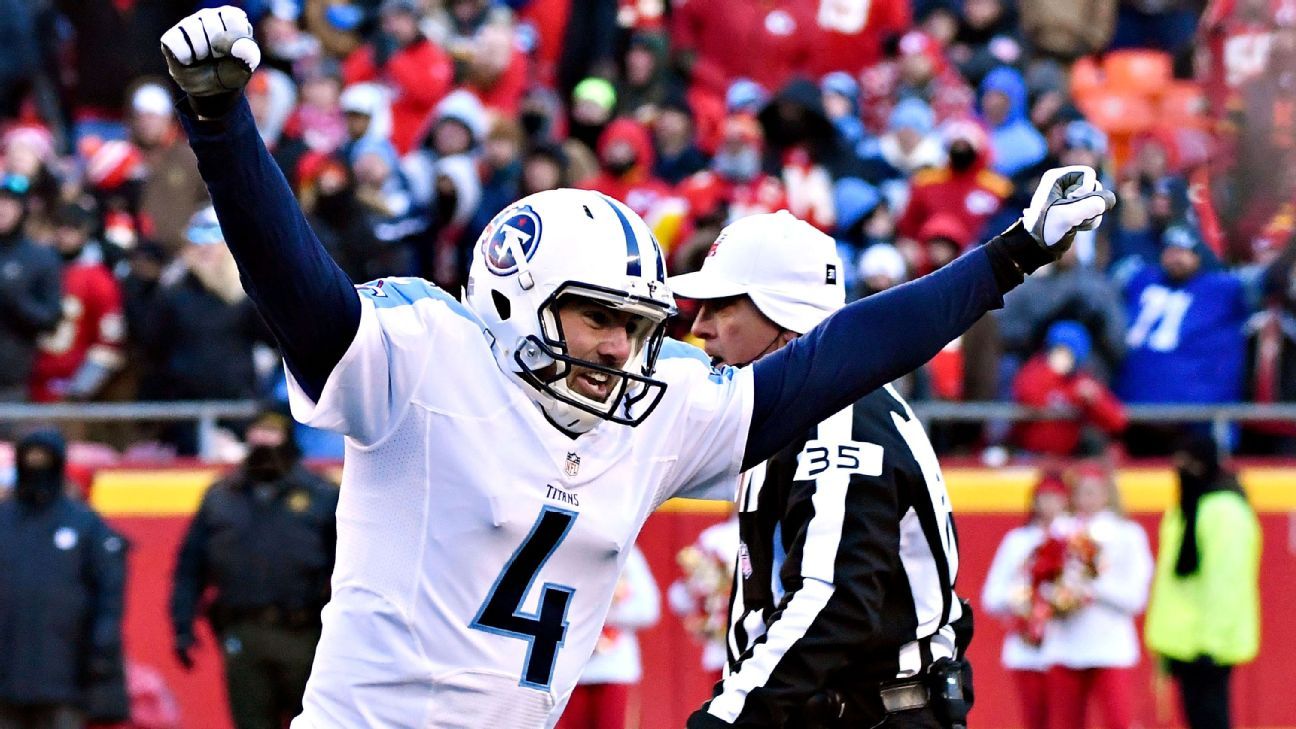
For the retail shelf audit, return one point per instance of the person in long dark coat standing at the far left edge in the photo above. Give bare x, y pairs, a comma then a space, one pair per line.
63, 575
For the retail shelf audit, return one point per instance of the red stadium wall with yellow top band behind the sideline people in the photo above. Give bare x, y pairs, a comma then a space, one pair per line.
152, 509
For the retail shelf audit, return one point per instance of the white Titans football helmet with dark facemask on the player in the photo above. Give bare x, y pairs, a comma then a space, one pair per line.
571, 243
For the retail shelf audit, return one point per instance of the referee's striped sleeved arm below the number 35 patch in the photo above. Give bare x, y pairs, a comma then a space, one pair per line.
830, 614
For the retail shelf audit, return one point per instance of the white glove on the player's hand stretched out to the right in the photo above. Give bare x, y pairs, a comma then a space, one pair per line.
1067, 200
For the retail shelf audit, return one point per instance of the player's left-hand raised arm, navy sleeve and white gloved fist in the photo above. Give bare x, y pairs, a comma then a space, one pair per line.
308, 302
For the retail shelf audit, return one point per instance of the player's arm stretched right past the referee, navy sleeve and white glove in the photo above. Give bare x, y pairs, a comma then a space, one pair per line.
875, 341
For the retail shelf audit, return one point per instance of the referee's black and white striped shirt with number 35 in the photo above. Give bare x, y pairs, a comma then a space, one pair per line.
846, 571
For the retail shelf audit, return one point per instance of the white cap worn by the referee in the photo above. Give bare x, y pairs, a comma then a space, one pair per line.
787, 267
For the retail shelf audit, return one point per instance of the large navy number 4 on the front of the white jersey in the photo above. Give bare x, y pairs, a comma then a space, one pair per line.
502, 613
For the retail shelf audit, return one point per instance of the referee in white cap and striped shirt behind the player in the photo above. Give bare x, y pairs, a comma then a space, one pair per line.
843, 610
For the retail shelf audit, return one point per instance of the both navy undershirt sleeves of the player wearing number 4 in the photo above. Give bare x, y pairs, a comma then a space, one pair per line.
314, 311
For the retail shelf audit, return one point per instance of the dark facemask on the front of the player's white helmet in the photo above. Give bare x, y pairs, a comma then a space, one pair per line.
545, 361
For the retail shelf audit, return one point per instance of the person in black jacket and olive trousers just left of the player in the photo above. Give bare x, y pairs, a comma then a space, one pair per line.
265, 539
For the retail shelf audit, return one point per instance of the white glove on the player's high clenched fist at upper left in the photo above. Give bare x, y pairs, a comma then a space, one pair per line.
212, 51
